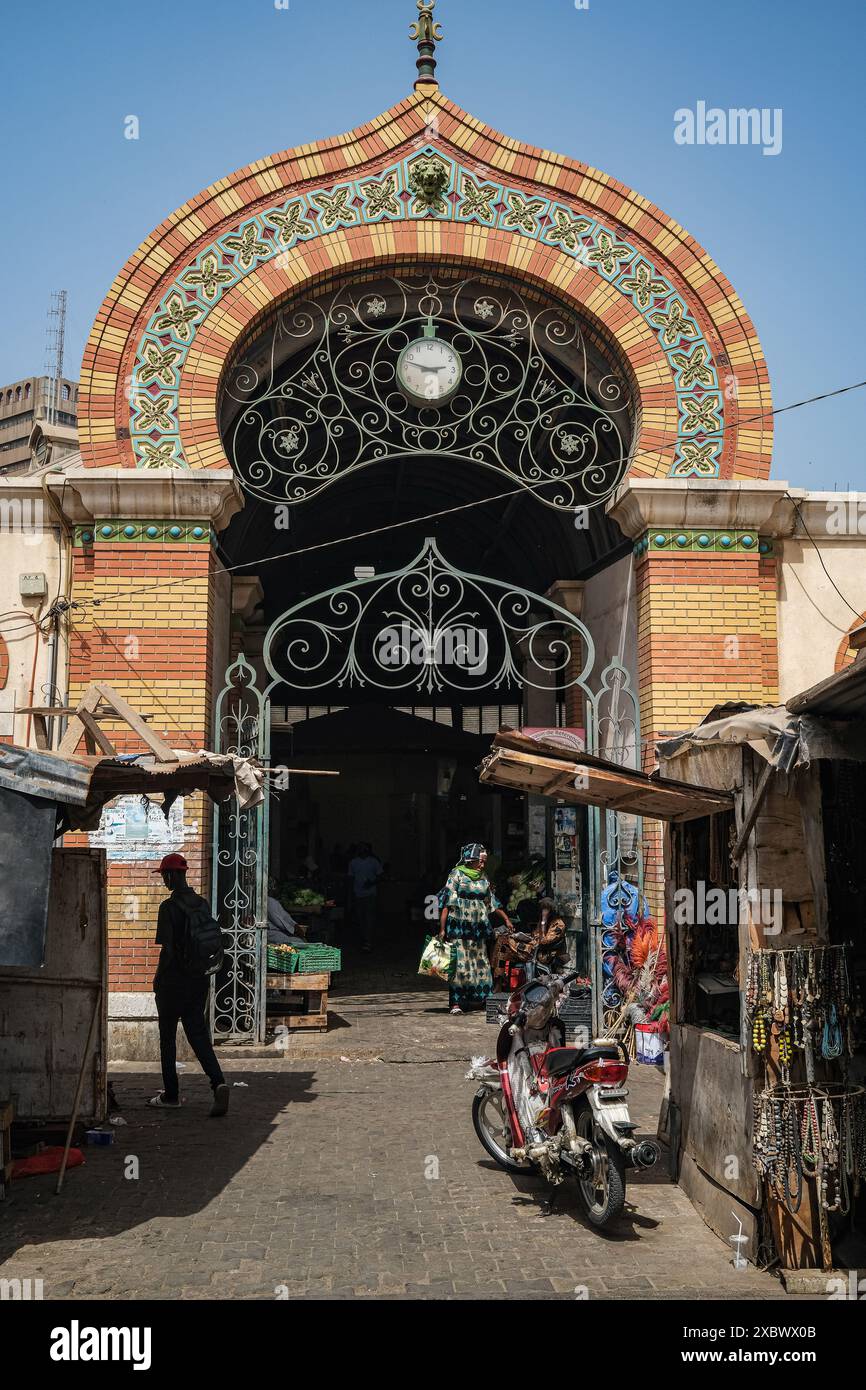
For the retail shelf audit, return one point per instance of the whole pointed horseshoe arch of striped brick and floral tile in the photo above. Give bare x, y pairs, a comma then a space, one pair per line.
198, 284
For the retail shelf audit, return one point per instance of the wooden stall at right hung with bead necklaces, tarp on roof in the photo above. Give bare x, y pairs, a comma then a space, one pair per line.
768, 951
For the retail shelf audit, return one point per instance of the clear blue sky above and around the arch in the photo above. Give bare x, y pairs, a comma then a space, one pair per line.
219, 84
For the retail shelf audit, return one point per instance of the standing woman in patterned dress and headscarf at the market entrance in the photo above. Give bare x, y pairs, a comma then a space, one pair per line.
466, 906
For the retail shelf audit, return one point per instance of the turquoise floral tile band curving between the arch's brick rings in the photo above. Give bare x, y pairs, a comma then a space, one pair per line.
426, 184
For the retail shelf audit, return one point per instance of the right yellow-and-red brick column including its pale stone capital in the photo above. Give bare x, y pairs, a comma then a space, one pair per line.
707, 610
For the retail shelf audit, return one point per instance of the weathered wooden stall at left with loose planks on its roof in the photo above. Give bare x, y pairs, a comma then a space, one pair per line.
54, 940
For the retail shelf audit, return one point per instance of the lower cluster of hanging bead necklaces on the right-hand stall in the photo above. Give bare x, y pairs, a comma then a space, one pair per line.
812, 1132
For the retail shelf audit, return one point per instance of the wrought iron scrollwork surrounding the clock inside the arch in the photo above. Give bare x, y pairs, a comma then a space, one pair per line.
319, 398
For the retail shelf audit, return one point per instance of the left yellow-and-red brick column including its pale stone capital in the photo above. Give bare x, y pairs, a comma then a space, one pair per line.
148, 598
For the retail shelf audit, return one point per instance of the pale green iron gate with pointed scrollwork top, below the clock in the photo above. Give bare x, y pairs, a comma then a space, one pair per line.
432, 630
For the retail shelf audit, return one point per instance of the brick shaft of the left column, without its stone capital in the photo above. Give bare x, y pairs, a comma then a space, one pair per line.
145, 626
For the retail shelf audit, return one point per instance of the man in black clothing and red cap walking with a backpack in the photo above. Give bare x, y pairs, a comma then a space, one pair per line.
181, 997
